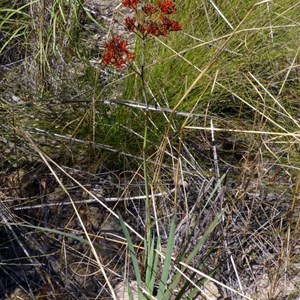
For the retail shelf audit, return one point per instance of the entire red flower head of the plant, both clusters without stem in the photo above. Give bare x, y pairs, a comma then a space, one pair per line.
147, 20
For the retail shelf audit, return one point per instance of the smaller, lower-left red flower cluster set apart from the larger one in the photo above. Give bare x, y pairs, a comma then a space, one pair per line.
116, 52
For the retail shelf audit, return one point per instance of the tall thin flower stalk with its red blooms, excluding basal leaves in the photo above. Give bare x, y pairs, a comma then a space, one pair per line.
146, 21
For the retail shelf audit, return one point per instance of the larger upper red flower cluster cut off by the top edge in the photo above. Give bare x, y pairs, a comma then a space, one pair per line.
149, 23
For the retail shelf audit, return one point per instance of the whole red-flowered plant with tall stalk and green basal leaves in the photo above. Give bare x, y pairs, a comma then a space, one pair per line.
146, 20
